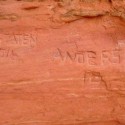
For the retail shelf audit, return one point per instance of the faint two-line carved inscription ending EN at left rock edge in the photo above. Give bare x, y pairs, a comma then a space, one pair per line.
14, 45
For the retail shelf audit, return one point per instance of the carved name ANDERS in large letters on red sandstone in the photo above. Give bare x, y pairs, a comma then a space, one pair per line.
107, 57
